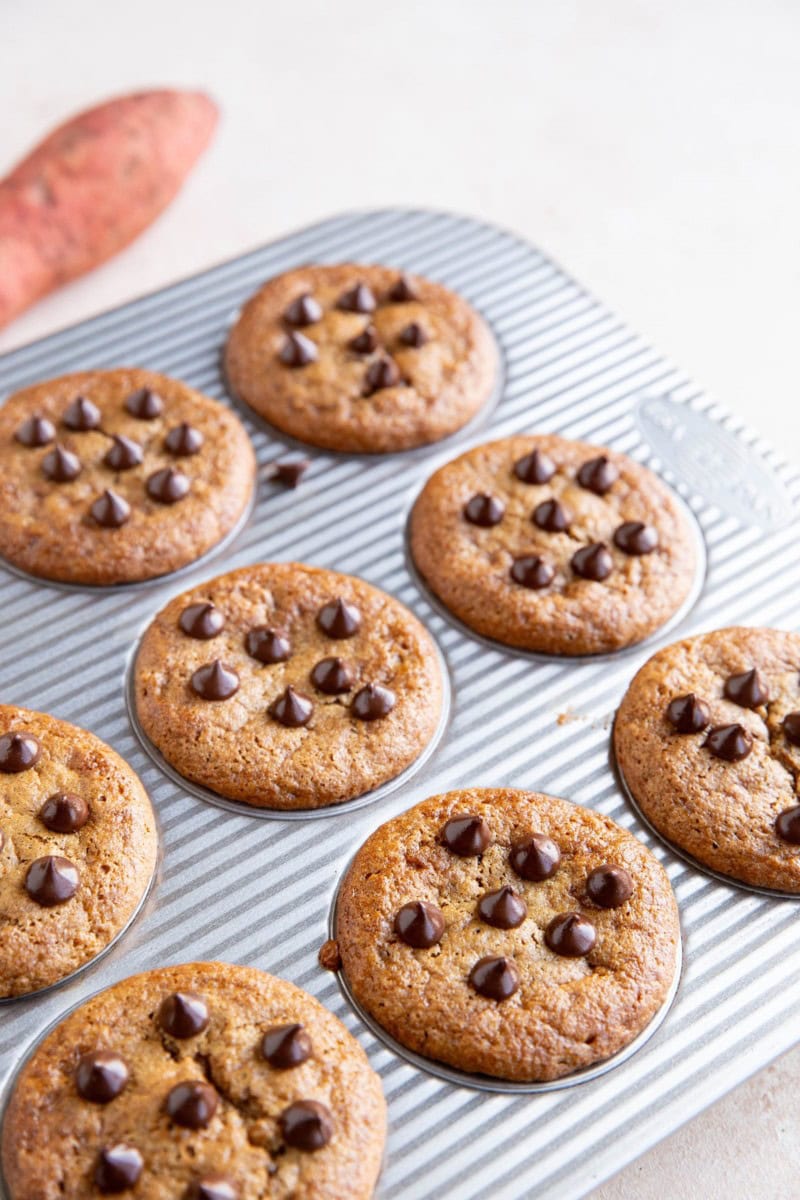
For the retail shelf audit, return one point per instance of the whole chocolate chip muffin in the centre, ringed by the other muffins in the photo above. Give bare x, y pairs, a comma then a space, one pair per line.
288, 687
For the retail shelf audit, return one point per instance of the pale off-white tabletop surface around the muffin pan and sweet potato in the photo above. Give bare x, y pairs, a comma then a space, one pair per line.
652, 148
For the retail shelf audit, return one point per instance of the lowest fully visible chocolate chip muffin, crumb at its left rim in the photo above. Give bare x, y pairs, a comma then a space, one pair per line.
508, 933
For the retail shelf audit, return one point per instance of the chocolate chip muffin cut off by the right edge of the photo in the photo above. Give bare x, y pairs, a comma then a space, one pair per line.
708, 741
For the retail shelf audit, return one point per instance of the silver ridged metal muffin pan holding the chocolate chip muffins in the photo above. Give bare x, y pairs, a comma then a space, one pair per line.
248, 891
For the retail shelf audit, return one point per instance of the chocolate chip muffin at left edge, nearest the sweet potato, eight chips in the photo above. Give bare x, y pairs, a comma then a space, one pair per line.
117, 477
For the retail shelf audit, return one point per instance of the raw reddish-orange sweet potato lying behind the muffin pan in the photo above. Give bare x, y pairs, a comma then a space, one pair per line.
92, 187
